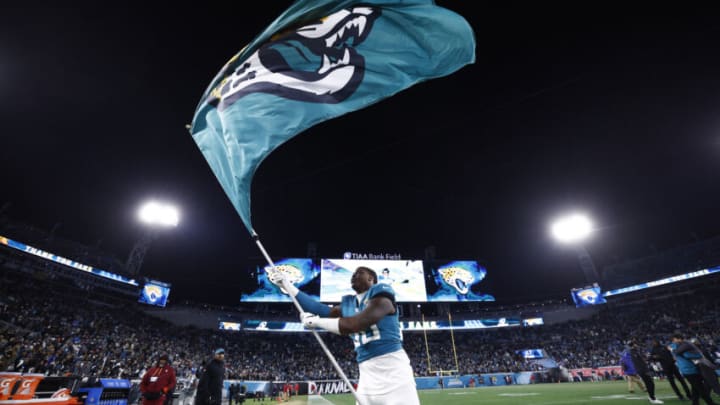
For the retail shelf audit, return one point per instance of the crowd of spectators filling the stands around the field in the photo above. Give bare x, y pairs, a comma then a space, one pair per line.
59, 331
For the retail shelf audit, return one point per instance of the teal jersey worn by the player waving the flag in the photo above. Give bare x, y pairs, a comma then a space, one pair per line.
381, 338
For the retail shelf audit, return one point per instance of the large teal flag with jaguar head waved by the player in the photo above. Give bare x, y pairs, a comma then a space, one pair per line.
320, 59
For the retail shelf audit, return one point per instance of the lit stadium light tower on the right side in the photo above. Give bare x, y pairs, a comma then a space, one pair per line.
573, 229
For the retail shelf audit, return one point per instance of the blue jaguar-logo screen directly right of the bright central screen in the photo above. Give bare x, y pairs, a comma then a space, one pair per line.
456, 281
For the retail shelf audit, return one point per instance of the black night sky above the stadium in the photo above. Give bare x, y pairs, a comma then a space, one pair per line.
597, 107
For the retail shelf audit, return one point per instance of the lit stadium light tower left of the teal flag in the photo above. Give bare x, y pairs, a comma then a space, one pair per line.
155, 216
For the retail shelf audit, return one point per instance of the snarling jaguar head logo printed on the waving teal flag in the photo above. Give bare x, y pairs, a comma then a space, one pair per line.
317, 62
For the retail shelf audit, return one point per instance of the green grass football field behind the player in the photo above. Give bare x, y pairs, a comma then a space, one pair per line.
605, 393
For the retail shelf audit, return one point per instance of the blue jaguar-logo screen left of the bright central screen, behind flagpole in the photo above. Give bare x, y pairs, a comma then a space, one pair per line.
301, 271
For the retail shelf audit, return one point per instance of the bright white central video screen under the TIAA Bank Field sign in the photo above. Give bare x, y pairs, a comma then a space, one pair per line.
406, 277
